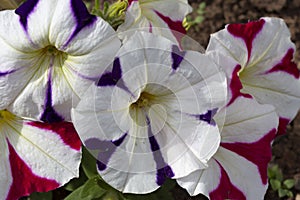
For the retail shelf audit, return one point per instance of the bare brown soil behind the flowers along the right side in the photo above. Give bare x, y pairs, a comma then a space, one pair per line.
218, 13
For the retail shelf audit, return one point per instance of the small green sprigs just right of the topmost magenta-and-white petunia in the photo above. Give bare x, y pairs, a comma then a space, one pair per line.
190, 21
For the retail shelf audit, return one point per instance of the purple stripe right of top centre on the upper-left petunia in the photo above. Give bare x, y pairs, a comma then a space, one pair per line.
82, 16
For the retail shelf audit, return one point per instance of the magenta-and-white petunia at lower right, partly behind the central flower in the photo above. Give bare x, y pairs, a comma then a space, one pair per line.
238, 170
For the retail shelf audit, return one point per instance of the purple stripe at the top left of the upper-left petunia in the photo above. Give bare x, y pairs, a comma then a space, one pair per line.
24, 11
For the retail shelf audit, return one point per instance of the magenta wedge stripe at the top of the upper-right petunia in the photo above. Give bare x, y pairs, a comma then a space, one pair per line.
247, 32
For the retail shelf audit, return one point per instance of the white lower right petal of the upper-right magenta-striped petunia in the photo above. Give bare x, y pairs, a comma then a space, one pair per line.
278, 89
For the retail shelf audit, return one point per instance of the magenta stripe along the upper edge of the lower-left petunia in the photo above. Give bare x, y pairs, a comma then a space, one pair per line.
65, 130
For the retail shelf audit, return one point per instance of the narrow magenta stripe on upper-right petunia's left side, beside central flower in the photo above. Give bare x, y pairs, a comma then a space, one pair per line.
236, 86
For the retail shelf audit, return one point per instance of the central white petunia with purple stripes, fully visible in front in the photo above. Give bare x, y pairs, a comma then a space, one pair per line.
149, 117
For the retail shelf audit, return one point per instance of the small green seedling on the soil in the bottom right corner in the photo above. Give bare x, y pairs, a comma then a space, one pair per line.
283, 187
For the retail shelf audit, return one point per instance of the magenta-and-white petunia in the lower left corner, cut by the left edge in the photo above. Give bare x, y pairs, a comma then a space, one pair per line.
35, 156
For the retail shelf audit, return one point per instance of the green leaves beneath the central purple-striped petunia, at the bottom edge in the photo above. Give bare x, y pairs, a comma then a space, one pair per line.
90, 186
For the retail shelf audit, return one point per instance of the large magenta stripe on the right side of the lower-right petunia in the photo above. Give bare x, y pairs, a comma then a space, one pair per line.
259, 152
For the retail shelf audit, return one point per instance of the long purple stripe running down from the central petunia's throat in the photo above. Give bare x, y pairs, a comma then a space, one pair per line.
164, 171
